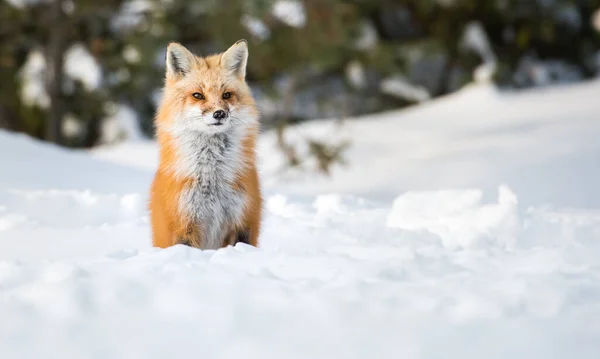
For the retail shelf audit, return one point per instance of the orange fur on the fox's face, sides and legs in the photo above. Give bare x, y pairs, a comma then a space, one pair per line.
208, 76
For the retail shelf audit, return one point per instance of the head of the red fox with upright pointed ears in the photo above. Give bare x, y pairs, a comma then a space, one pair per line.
207, 94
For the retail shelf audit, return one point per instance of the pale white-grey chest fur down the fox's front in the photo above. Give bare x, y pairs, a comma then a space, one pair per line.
213, 161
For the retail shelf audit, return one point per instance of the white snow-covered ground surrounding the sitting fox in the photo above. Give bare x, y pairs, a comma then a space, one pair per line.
468, 227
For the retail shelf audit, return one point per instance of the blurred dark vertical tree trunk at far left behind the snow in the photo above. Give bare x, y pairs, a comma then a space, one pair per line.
55, 59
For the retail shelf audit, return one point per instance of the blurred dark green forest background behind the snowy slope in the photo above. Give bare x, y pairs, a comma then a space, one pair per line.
81, 73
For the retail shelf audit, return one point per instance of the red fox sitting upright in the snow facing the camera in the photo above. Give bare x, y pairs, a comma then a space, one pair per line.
206, 191
